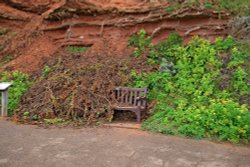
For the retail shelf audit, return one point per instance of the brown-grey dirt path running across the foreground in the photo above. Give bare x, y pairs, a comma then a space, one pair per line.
31, 146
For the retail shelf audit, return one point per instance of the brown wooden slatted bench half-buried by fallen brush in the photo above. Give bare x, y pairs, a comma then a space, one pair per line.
131, 99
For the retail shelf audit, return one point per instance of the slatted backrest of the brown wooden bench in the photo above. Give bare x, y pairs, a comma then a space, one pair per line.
131, 95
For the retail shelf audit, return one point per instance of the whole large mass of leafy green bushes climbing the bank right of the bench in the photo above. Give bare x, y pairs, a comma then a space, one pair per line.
198, 89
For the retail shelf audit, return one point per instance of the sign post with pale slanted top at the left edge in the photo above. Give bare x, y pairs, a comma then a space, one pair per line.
4, 90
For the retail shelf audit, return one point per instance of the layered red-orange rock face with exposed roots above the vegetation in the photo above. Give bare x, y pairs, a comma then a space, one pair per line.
43, 26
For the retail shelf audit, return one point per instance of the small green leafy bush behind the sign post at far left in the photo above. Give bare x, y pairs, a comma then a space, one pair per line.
21, 83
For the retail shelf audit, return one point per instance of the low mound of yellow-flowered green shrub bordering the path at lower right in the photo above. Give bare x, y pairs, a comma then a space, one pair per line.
220, 119
